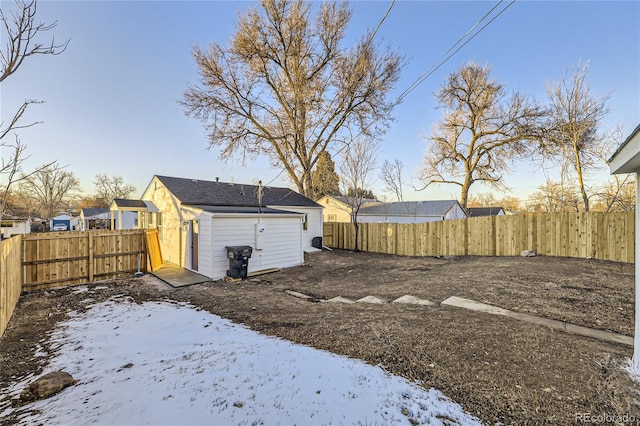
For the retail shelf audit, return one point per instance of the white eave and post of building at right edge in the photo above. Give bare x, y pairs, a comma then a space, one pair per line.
626, 159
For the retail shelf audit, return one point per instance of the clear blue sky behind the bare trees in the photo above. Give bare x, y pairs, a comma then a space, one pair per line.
111, 97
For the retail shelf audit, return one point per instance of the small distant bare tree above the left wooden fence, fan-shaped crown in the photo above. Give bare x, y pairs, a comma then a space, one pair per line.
51, 187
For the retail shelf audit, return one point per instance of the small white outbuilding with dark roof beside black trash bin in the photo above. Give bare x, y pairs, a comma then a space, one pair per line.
197, 219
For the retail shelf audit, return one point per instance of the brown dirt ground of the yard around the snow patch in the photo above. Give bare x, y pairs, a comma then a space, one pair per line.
499, 369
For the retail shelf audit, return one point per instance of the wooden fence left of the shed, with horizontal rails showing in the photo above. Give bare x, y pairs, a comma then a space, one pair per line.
56, 259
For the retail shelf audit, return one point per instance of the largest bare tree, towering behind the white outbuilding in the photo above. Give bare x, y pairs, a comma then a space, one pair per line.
285, 88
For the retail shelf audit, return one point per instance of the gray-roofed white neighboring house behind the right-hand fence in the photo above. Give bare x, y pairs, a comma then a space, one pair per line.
411, 212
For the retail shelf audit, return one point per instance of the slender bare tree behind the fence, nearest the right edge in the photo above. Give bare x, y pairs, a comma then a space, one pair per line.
573, 140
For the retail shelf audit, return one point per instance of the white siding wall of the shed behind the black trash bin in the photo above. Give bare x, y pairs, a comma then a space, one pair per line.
281, 242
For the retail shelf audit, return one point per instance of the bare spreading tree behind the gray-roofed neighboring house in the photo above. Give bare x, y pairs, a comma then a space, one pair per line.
481, 132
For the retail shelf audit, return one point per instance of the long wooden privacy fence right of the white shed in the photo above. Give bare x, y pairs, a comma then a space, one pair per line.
605, 236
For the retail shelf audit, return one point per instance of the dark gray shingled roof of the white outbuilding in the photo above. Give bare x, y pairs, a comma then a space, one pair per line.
209, 193
